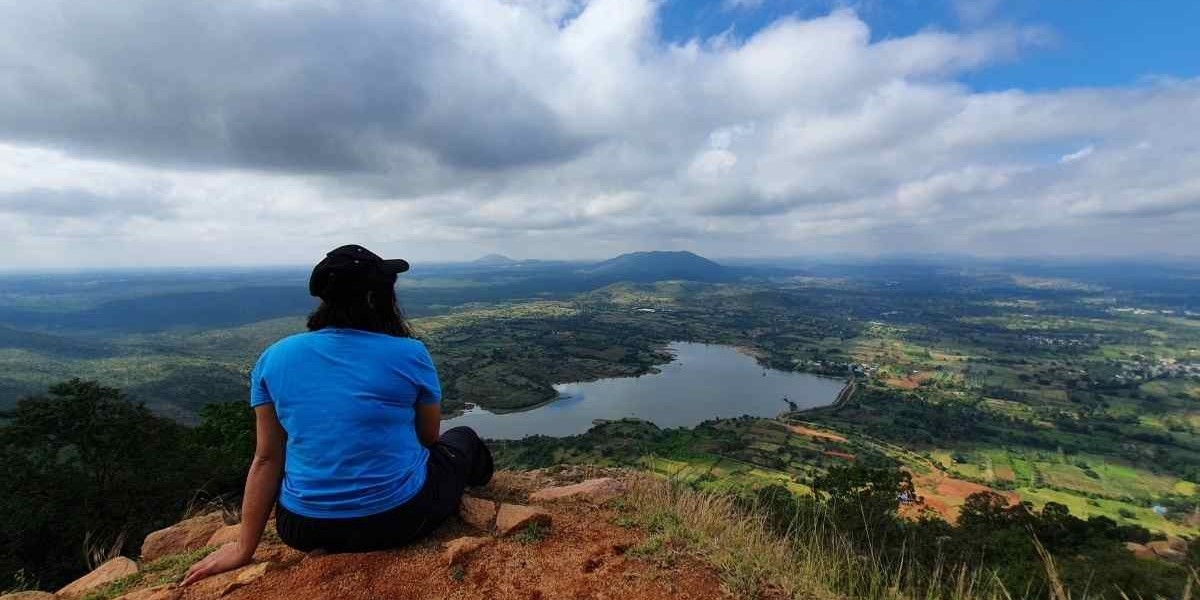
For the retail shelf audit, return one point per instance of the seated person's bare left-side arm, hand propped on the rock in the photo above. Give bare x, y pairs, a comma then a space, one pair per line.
262, 487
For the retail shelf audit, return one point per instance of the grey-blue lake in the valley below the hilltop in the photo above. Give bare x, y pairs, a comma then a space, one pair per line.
704, 382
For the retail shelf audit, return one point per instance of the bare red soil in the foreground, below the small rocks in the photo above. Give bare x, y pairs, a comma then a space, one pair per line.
583, 557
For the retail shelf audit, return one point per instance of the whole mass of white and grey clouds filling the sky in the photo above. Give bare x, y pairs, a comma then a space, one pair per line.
556, 129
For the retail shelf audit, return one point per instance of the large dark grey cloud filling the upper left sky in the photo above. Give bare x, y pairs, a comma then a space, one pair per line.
307, 88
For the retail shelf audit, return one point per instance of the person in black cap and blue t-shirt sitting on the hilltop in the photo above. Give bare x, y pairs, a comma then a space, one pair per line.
347, 418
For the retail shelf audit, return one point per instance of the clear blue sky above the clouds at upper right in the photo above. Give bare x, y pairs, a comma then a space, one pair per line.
1093, 44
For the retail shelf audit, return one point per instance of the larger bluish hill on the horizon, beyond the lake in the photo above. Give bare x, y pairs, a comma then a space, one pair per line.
658, 266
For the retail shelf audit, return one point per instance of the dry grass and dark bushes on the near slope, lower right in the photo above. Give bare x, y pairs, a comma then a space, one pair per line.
847, 541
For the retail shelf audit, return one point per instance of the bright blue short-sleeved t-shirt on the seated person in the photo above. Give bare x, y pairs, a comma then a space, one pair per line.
347, 401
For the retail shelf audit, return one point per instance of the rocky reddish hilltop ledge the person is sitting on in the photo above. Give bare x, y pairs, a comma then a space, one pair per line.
580, 544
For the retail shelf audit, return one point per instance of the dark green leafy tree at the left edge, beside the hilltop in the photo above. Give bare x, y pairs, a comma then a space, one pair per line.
83, 463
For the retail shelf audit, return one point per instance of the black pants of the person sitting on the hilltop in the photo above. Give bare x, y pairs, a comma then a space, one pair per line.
458, 460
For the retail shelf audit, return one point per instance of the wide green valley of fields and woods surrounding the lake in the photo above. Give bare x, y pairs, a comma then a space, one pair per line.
1070, 386
